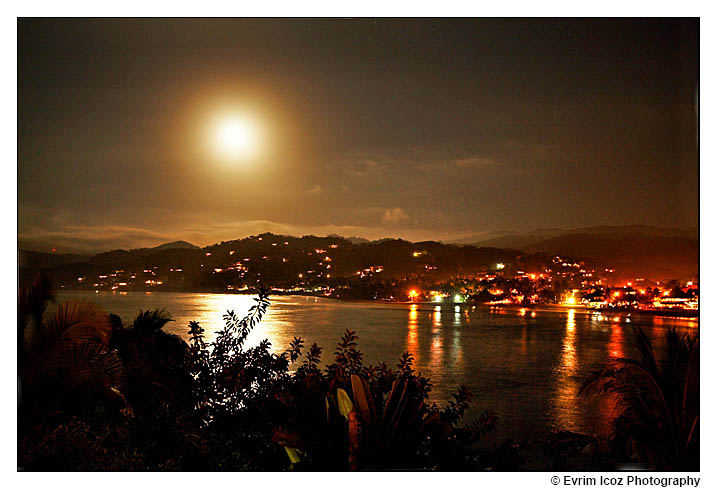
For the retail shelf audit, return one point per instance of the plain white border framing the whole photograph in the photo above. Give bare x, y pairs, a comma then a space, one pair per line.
8, 191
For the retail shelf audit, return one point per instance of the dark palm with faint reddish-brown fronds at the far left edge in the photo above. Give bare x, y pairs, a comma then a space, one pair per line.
64, 360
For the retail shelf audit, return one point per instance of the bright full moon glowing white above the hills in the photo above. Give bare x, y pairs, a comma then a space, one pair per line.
234, 137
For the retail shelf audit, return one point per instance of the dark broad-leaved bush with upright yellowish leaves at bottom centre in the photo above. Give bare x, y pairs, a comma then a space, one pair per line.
377, 418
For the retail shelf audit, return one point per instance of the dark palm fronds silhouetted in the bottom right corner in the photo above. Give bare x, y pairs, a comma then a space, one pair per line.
658, 399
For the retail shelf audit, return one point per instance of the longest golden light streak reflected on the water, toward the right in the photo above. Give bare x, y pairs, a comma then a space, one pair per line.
565, 399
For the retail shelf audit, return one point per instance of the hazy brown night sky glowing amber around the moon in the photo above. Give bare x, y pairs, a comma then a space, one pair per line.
420, 129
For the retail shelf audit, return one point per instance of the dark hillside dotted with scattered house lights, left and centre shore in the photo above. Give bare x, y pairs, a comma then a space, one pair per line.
277, 260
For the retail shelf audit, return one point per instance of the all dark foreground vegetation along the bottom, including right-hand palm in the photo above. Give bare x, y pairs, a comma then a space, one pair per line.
96, 394
